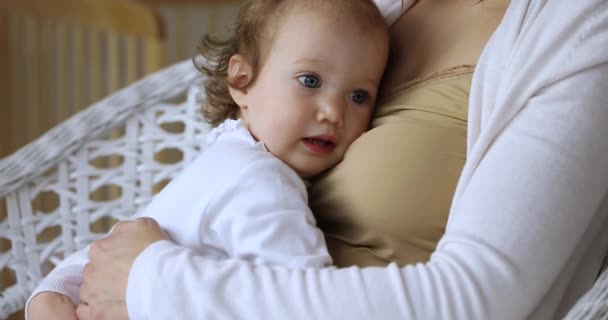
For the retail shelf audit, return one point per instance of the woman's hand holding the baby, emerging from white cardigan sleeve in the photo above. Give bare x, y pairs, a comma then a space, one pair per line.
104, 288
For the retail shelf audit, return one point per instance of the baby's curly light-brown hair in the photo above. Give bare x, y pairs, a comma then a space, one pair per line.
257, 24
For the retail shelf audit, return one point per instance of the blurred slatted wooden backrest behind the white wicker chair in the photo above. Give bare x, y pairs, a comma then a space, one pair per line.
63, 55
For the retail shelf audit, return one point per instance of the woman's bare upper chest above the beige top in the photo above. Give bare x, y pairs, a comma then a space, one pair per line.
433, 36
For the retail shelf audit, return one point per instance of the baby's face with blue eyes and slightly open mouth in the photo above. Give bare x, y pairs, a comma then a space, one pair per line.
316, 89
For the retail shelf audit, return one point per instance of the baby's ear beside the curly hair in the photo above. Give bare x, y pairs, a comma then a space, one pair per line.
240, 75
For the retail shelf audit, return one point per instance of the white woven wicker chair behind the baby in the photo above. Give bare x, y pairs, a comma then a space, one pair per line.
61, 165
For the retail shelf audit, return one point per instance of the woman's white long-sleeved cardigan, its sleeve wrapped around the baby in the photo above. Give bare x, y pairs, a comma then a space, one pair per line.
527, 228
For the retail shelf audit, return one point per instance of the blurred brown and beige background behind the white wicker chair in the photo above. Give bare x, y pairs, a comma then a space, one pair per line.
59, 56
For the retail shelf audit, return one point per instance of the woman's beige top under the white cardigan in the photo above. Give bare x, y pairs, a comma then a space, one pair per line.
393, 206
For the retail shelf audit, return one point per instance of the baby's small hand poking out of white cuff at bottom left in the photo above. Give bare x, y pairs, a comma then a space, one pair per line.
51, 306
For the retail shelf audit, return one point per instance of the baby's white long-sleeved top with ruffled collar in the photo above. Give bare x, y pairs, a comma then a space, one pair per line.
234, 200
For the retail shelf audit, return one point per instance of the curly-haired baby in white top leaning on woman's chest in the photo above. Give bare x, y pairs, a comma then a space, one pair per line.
289, 92
